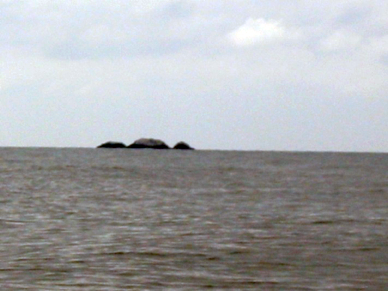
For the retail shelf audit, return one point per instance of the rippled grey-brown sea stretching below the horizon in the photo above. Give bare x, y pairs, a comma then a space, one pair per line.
122, 219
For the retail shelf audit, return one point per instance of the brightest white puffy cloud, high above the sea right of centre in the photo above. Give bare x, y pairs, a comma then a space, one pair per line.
255, 31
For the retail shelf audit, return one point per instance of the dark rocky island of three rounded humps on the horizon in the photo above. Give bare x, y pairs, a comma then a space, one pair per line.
146, 143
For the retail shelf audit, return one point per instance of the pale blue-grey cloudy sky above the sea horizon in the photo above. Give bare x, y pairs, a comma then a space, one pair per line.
289, 75
